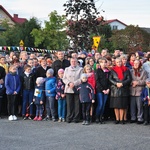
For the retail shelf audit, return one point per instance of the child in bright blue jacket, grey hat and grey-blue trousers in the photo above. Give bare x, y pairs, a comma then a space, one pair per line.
50, 92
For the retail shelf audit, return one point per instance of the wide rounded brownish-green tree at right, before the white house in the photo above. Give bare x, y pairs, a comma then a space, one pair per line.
131, 39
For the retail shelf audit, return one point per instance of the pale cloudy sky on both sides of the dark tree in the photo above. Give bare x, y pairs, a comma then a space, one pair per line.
135, 12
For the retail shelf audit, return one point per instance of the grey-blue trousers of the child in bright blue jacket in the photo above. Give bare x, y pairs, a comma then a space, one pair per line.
50, 106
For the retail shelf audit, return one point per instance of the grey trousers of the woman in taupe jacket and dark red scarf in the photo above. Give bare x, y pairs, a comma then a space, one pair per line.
136, 104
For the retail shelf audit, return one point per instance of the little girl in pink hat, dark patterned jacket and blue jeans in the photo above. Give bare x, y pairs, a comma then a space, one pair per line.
60, 96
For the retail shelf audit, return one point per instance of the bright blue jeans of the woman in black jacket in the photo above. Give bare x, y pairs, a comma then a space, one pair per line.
101, 101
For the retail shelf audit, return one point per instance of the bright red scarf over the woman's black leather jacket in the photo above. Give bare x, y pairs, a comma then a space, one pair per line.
120, 70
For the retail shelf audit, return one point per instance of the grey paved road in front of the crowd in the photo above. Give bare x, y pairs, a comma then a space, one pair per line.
48, 135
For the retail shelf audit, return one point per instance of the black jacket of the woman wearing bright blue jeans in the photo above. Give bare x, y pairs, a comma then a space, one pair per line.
102, 80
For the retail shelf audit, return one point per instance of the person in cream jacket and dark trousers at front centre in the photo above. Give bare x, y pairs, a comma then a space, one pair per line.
71, 79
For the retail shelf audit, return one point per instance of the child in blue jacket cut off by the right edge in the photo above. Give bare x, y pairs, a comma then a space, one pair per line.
145, 96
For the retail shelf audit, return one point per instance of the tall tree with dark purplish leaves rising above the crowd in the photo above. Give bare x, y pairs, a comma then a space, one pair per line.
82, 23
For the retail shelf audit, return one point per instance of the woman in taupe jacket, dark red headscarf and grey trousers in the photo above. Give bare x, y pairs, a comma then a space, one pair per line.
138, 83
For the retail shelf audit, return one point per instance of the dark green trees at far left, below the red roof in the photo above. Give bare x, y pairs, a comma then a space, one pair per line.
13, 34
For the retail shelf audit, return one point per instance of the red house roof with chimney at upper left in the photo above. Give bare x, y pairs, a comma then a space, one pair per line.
15, 19
